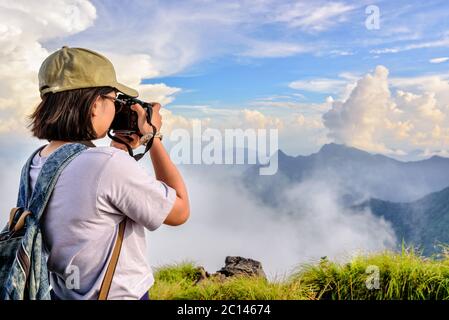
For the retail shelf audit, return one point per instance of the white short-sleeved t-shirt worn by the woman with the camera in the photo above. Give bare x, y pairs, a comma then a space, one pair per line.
92, 195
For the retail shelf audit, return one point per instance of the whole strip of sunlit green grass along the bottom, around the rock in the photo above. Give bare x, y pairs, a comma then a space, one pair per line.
405, 275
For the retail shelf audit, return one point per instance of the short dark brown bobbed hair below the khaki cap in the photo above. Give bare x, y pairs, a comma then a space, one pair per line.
66, 115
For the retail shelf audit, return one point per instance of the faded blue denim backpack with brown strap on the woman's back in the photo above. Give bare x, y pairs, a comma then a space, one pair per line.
23, 259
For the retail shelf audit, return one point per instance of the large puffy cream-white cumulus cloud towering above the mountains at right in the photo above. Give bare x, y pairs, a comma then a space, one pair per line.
375, 119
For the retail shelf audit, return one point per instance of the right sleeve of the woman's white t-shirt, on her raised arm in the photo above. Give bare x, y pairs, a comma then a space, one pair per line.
126, 188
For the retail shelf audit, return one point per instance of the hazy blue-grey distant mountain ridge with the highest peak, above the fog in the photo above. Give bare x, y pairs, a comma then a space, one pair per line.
357, 174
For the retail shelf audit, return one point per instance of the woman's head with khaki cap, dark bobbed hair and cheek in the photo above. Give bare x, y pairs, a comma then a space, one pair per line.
74, 84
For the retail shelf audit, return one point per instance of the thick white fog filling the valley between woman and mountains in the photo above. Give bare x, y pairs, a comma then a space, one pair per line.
227, 219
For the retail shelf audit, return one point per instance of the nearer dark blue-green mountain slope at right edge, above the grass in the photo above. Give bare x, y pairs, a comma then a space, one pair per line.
424, 222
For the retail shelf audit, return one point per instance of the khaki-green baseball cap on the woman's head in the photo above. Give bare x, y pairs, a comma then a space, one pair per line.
76, 68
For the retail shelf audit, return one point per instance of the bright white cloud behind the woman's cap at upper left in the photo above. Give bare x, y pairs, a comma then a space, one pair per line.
24, 27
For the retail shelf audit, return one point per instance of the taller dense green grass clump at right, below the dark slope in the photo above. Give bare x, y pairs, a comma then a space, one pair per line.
405, 276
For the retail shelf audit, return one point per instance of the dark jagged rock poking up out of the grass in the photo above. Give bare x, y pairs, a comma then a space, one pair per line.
239, 266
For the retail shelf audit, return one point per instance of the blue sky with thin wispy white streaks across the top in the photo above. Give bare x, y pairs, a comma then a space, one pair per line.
321, 43
